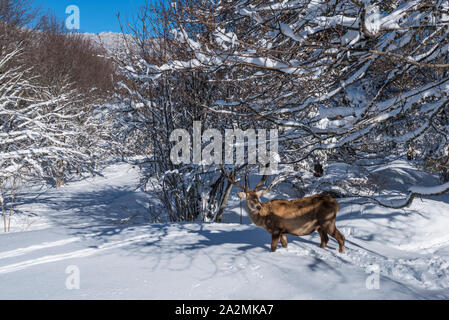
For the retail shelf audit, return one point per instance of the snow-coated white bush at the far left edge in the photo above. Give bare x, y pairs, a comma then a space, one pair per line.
44, 133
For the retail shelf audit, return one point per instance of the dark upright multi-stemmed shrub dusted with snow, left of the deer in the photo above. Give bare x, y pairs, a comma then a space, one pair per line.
147, 113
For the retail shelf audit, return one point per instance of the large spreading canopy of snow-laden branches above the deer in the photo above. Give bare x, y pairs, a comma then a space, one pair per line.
343, 81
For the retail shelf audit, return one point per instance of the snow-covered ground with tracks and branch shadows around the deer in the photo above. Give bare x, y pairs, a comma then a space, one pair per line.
97, 227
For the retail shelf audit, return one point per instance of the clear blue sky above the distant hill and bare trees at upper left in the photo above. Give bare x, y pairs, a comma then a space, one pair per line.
95, 15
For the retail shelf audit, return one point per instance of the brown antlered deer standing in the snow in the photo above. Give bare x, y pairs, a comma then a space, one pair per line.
300, 217
